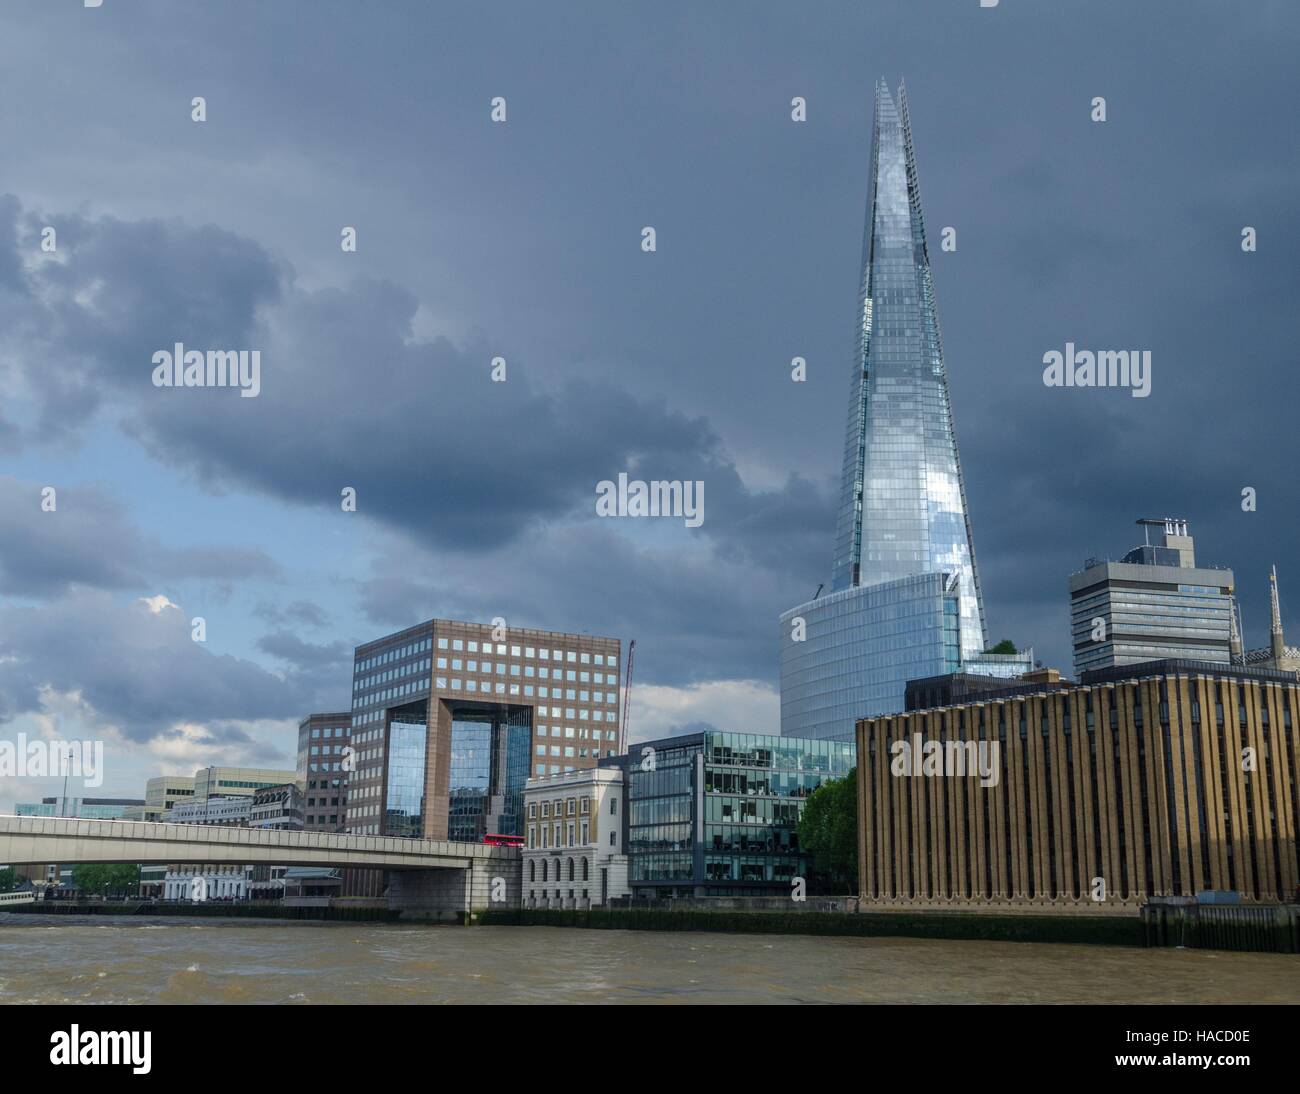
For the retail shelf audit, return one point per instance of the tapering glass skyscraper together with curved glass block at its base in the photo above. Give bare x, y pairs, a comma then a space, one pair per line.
905, 600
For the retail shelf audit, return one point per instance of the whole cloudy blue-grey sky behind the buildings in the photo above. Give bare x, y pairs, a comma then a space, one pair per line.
479, 240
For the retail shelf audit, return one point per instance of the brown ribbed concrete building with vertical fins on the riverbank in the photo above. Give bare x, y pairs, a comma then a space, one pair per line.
1159, 780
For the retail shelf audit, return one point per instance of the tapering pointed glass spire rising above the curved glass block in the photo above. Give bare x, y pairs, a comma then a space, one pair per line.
903, 502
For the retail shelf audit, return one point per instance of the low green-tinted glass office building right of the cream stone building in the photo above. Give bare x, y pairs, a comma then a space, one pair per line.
717, 814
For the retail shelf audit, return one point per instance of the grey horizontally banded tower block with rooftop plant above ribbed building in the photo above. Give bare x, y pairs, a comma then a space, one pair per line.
1155, 604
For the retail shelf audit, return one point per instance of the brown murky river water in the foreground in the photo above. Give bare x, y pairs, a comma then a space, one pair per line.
133, 961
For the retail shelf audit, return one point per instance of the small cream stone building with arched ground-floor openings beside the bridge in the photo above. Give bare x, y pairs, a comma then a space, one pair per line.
573, 856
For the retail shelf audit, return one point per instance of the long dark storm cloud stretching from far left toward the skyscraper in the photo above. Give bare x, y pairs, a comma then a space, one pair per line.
418, 428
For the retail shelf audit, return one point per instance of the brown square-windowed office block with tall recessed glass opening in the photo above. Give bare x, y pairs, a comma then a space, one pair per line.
450, 720
